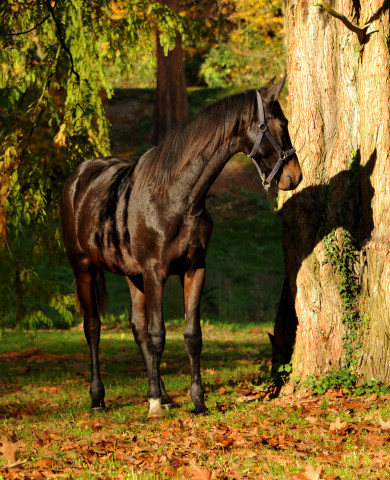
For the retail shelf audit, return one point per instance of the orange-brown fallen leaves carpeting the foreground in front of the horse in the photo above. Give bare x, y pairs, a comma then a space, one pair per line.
261, 442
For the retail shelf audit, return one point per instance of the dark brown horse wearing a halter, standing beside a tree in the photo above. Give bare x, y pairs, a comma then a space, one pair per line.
147, 219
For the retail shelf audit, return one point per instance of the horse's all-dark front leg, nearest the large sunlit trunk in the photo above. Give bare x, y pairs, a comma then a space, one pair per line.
193, 282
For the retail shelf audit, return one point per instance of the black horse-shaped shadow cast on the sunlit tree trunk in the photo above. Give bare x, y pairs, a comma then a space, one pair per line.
308, 217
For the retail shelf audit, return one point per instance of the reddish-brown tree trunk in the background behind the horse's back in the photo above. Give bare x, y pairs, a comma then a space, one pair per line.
171, 101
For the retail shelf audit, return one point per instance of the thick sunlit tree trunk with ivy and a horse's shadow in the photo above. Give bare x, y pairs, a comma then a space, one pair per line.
335, 308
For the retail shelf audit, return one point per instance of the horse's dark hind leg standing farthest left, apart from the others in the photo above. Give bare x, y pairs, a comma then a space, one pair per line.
86, 280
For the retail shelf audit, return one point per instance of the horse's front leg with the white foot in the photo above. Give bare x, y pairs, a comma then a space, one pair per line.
153, 288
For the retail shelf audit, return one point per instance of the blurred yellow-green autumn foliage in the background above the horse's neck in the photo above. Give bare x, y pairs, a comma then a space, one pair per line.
235, 43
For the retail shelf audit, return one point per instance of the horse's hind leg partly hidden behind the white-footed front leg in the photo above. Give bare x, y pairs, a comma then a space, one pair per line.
139, 326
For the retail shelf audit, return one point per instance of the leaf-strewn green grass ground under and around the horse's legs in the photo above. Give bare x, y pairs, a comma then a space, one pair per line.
44, 414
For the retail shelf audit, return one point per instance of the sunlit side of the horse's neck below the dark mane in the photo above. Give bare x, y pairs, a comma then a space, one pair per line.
199, 175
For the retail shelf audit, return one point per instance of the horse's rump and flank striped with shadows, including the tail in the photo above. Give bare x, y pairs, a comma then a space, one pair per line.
93, 229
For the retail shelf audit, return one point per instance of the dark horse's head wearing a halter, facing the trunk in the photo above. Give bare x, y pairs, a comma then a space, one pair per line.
268, 141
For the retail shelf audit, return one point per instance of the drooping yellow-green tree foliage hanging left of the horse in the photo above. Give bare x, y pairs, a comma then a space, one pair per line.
52, 85
